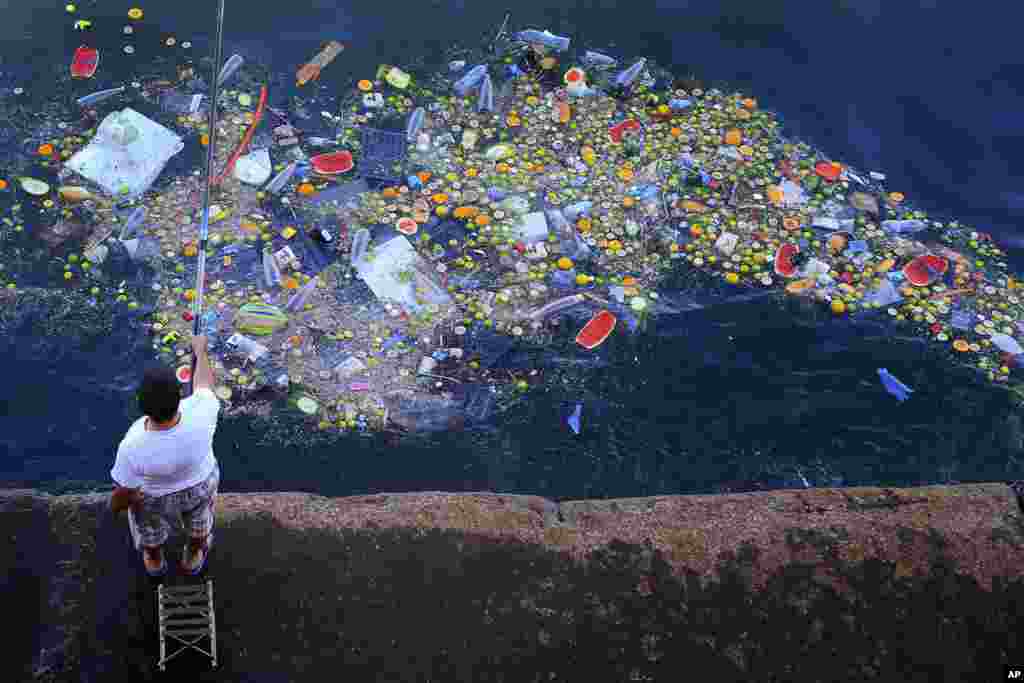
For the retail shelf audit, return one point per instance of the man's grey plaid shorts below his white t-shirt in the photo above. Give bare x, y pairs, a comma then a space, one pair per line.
194, 506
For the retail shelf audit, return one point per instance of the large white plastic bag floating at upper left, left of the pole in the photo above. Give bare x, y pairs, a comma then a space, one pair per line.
127, 154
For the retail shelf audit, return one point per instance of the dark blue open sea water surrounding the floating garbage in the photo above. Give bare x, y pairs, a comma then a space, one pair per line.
733, 397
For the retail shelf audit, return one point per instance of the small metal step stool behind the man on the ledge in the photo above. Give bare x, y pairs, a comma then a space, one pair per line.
186, 614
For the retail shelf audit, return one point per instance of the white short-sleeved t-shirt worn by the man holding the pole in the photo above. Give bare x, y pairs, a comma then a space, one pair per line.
172, 460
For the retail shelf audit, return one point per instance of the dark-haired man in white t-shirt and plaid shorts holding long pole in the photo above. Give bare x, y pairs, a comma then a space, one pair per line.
165, 469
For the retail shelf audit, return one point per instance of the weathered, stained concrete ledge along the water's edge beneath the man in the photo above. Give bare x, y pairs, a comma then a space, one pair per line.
849, 584
